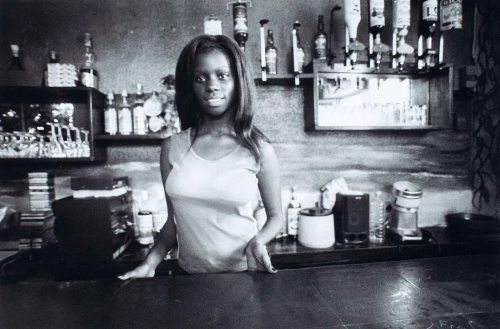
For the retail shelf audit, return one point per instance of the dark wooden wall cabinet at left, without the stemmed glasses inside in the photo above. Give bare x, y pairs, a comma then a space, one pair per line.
85, 112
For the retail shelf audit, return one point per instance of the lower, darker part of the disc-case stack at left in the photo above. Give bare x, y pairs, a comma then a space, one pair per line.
36, 229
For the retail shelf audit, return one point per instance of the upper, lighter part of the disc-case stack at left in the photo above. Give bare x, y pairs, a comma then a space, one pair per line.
41, 190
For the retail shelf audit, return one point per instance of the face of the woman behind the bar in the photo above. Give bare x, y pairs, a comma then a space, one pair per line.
213, 82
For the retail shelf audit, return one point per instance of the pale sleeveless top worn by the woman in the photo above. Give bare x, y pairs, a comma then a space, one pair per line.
212, 202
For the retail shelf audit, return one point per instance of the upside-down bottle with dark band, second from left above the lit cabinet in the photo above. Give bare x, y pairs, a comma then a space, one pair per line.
377, 24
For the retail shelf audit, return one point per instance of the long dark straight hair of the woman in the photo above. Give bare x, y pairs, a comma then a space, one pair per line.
190, 113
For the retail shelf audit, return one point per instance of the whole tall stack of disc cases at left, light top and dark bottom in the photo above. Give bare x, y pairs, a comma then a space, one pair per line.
37, 224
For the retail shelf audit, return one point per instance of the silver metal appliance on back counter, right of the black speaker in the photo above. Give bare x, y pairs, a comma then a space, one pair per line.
406, 197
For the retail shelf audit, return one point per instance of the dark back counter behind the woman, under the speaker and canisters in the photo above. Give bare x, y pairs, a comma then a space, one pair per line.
285, 254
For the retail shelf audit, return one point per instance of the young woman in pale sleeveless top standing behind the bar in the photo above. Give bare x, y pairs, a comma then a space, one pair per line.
214, 170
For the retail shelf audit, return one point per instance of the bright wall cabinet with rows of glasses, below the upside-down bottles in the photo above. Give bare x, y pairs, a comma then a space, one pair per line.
365, 99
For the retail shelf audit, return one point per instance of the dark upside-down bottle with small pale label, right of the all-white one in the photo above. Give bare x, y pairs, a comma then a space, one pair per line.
428, 25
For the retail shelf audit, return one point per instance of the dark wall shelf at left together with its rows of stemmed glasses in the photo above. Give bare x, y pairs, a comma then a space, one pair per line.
51, 124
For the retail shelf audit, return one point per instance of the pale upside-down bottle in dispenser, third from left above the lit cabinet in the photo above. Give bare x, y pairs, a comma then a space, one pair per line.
401, 23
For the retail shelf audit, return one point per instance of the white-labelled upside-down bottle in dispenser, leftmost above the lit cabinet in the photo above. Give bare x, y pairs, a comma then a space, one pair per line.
352, 17
